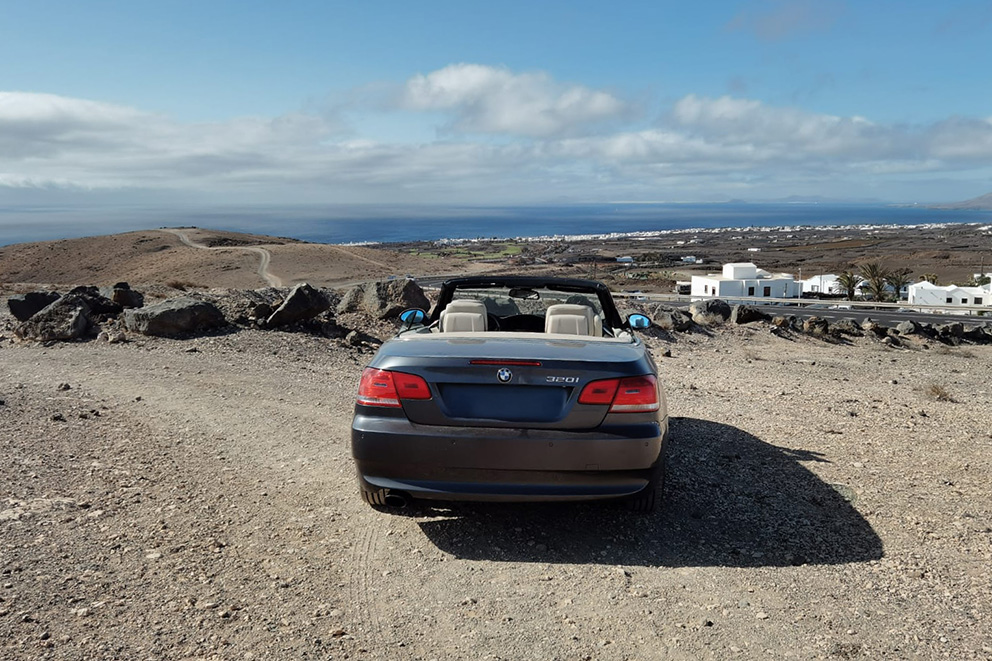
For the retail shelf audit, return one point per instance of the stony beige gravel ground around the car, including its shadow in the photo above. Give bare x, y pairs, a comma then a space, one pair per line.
196, 499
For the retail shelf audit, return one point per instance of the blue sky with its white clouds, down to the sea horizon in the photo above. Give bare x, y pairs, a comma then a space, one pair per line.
505, 103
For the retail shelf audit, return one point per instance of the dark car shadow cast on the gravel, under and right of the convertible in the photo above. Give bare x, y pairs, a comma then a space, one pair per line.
730, 500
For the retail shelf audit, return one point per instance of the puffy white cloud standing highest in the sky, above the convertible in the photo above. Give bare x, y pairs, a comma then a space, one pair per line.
494, 100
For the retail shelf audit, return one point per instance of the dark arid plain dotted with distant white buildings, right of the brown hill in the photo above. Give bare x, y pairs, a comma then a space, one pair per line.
952, 253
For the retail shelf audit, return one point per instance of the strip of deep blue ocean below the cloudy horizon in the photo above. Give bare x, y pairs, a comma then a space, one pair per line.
388, 224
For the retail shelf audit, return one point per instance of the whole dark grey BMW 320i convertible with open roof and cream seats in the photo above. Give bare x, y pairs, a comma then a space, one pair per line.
512, 389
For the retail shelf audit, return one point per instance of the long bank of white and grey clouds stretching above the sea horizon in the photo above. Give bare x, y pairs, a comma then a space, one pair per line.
703, 147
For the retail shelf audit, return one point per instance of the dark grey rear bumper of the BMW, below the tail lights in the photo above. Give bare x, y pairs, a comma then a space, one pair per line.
496, 464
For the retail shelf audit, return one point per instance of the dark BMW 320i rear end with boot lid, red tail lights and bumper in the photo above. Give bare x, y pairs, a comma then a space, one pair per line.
508, 418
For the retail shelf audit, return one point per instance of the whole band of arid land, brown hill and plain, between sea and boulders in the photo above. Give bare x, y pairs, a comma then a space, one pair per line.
952, 253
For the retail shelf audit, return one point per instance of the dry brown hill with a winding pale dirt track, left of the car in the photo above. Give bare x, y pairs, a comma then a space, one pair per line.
232, 260
